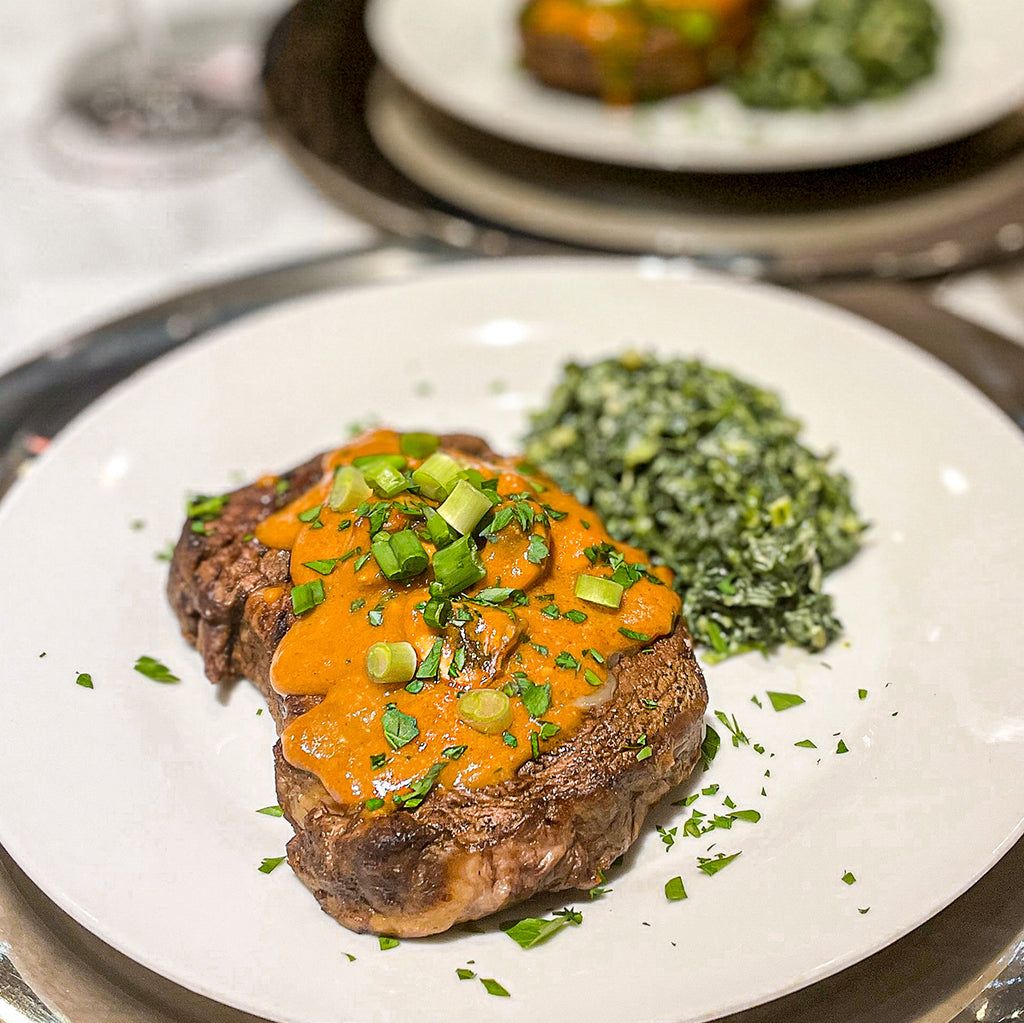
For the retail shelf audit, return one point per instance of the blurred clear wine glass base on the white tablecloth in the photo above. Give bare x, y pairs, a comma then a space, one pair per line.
166, 100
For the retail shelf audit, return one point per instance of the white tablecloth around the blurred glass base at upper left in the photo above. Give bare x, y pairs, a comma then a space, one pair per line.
78, 249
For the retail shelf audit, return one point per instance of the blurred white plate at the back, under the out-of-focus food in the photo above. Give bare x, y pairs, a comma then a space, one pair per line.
462, 56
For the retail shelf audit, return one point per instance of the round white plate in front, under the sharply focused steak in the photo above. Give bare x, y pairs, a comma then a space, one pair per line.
133, 804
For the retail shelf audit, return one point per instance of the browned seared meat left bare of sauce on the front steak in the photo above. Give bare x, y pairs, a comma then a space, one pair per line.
462, 854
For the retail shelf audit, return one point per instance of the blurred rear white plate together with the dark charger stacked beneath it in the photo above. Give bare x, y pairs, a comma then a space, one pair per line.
433, 129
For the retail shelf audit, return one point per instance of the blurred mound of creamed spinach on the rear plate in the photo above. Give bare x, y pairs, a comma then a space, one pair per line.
838, 53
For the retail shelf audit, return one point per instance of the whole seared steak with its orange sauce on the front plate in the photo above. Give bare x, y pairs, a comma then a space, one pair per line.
408, 818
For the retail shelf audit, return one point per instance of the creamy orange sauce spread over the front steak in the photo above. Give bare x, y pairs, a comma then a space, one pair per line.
343, 739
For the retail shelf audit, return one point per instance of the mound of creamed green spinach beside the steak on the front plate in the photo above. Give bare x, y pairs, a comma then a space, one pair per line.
707, 474
